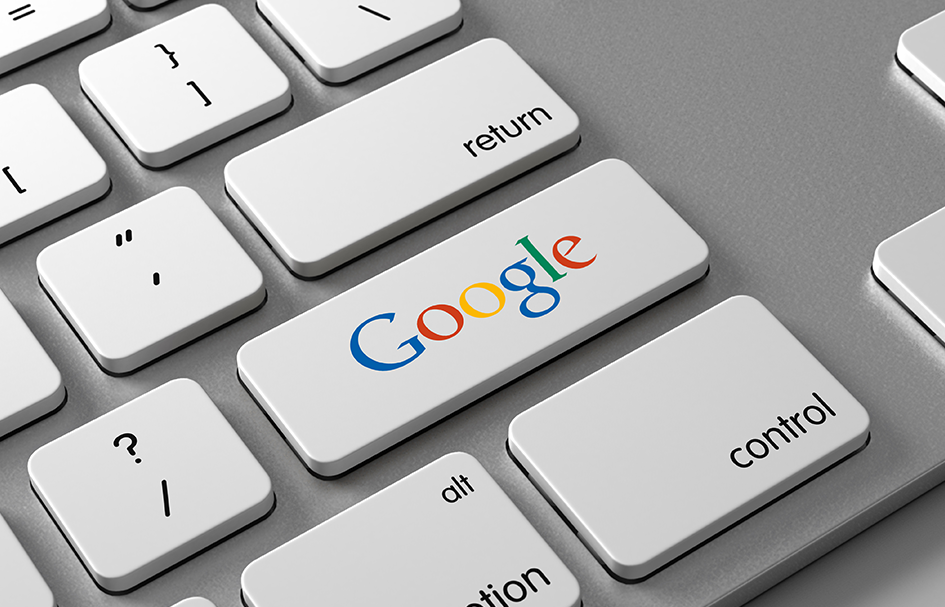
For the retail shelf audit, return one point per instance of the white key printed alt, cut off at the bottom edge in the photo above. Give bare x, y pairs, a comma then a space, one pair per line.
446, 535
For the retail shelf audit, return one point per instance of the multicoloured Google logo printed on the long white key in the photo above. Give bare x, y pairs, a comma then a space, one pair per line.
518, 269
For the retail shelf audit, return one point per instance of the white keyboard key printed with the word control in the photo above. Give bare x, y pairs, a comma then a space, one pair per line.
670, 445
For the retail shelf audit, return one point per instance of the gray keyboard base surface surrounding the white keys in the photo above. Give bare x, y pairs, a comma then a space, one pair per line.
782, 131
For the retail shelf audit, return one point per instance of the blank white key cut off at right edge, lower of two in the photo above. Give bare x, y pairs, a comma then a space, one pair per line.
910, 264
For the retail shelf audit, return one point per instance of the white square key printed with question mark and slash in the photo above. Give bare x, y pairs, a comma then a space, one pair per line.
150, 484
